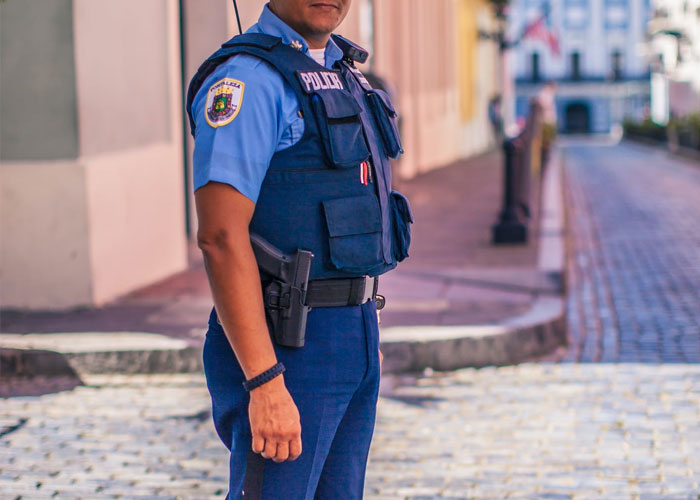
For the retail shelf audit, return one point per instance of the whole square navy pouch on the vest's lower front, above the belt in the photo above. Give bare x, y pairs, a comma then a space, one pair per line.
354, 230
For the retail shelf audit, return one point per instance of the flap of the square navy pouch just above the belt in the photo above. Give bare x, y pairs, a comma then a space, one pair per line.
355, 215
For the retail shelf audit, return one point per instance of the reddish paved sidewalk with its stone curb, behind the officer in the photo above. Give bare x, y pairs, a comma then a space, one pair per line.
457, 301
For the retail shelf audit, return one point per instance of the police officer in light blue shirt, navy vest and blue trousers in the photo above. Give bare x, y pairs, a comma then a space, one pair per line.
293, 144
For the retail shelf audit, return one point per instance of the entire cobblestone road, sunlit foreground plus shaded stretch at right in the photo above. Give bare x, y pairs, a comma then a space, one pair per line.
615, 424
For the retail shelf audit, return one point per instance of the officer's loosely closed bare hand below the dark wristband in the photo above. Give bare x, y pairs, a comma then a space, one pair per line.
274, 422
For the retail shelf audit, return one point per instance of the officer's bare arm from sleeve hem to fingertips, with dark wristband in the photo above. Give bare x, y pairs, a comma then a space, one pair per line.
224, 215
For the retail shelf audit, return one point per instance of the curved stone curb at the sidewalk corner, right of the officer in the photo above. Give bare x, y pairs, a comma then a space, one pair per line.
537, 332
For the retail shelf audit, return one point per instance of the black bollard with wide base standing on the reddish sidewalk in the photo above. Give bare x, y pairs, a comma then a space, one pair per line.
509, 229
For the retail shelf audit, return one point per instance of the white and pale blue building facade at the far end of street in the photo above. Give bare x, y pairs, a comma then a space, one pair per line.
601, 71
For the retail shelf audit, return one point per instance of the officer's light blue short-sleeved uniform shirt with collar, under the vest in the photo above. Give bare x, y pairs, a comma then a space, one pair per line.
237, 151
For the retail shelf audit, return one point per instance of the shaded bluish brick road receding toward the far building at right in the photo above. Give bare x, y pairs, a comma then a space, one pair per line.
635, 260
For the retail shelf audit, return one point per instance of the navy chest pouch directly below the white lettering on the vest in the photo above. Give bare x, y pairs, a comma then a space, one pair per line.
341, 129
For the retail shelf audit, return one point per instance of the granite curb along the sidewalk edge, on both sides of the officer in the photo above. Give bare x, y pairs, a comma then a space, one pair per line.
537, 332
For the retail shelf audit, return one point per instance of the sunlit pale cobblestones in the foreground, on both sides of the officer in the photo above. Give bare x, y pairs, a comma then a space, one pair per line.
531, 431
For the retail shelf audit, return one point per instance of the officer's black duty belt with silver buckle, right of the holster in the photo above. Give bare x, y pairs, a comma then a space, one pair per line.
339, 292
